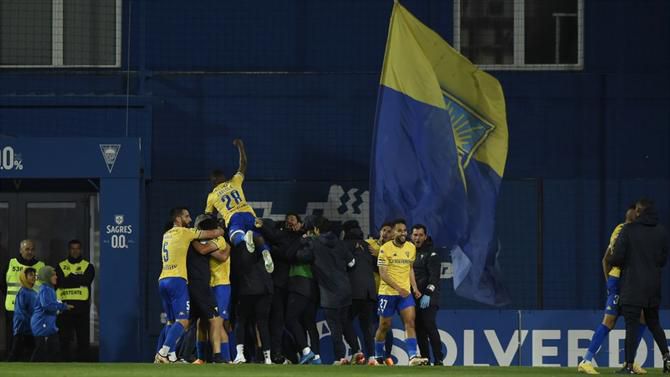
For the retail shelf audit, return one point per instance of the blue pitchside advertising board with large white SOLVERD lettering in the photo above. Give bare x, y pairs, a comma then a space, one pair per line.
549, 338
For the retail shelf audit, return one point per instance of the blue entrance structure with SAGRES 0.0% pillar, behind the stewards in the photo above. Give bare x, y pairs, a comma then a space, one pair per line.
56, 189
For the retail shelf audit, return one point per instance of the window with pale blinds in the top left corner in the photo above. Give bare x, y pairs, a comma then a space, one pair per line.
60, 33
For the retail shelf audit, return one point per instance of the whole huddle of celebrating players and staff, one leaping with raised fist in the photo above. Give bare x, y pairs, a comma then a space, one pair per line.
315, 268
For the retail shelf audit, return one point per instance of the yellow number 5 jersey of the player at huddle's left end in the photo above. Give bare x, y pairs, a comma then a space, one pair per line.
175, 247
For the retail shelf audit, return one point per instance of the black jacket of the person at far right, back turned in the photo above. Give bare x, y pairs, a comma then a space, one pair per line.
641, 251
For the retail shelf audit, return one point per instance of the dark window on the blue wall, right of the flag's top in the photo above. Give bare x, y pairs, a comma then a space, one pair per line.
520, 34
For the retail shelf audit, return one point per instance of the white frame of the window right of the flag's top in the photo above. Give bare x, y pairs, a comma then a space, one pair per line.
520, 41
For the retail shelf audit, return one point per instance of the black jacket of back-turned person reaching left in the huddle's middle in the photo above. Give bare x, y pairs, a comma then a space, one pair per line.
329, 258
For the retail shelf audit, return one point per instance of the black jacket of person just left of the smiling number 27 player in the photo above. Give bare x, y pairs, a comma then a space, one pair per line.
361, 275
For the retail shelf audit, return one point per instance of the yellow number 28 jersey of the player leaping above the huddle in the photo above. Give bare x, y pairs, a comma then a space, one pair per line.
228, 198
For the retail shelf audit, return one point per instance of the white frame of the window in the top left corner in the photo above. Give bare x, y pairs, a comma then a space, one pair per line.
57, 41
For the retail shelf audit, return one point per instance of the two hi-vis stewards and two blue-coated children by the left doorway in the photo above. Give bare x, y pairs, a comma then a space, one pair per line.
47, 307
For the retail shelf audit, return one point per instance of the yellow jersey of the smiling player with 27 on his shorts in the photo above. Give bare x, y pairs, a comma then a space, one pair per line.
398, 261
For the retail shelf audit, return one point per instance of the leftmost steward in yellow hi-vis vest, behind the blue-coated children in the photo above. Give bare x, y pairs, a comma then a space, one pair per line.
25, 259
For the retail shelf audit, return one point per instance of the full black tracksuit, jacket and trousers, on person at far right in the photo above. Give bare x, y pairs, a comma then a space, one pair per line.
641, 251
